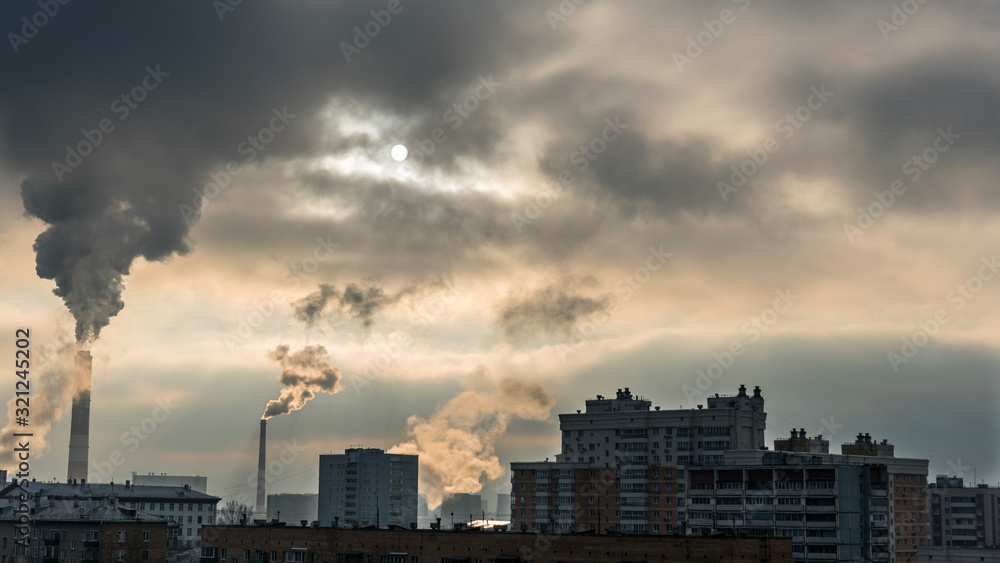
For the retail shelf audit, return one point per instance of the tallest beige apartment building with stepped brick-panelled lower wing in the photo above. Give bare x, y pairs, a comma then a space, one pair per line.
621, 459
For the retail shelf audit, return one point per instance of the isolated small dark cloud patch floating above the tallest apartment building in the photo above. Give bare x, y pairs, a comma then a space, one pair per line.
551, 310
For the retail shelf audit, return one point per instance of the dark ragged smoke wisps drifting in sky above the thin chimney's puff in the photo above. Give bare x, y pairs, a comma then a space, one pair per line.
359, 302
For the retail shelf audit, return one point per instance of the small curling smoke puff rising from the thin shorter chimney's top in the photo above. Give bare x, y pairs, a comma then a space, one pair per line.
303, 373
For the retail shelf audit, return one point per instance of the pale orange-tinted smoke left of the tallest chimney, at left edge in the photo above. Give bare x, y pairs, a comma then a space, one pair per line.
52, 393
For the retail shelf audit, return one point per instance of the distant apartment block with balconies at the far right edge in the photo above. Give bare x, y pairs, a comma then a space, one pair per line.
964, 516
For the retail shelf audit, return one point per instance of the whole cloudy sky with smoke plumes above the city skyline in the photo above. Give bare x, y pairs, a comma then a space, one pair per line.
675, 197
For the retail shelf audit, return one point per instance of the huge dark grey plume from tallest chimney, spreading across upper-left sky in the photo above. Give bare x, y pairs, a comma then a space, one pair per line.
216, 82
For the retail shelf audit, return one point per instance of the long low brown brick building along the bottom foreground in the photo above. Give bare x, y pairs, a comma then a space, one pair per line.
297, 544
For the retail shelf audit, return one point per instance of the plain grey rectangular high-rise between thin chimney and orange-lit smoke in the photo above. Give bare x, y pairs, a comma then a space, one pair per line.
368, 487
